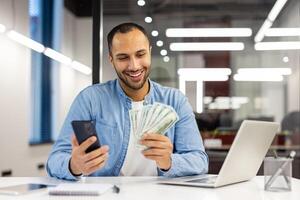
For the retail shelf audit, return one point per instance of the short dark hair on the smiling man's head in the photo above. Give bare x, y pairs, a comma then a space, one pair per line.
124, 28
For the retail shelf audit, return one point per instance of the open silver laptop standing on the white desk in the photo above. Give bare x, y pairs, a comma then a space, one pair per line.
243, 160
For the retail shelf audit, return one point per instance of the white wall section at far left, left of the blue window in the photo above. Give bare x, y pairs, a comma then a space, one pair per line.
15, 153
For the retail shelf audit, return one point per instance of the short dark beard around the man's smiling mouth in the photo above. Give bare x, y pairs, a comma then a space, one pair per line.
131, 84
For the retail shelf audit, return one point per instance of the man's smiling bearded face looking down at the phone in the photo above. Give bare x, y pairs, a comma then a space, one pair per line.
131, 58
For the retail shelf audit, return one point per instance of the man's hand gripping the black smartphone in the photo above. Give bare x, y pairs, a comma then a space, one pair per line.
82, 163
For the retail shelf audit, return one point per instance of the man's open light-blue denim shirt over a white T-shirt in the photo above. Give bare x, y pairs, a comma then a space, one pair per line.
108, 106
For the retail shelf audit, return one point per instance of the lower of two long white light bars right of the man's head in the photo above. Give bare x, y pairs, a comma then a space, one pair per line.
207, 46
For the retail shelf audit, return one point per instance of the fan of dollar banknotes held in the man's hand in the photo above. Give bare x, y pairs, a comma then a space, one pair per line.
155, 118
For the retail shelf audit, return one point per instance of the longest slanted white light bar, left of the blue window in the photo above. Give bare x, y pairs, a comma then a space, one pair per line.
26, 41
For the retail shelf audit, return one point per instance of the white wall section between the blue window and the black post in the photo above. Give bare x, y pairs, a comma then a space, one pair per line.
76, 42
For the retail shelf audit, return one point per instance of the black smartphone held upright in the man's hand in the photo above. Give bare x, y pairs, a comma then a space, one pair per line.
83, 130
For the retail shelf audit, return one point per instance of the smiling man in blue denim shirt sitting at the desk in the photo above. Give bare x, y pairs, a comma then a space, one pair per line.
178, 153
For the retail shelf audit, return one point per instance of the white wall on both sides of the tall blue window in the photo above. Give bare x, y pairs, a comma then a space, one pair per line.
15, 87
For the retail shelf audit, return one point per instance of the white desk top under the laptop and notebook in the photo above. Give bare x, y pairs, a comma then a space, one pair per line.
144, 188
